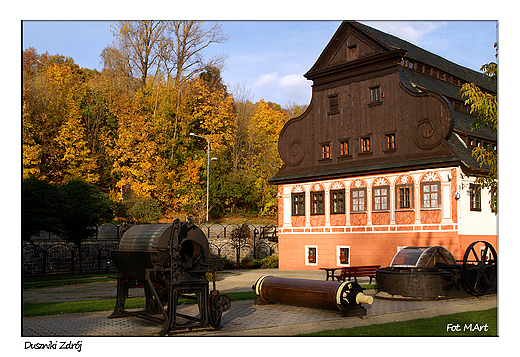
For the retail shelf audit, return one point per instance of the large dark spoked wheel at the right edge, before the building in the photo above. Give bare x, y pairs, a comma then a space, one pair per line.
479, 269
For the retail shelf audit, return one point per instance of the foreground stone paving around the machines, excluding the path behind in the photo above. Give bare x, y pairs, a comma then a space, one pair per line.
242, 316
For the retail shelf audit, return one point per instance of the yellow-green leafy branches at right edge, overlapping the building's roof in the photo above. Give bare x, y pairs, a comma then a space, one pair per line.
484, 105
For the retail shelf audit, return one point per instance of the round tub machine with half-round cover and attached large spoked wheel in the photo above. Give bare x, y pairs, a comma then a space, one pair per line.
432, 273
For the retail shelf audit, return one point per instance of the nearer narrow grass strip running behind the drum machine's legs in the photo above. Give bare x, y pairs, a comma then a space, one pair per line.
75, 307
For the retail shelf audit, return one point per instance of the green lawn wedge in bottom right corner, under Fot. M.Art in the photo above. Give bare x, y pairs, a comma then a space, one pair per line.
436, 326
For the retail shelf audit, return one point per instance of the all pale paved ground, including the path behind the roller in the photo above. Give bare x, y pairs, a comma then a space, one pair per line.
246, 319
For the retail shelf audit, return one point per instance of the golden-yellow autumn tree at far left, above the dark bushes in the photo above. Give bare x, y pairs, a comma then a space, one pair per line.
55, 144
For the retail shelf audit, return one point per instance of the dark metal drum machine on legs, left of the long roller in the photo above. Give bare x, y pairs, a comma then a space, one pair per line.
170, 261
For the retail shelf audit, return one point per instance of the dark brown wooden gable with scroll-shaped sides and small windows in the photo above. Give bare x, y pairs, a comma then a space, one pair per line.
343, 115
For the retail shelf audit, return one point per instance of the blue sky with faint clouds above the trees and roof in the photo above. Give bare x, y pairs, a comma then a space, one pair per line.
269, 58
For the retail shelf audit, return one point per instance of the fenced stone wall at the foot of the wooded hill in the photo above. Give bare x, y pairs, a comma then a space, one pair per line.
48, 254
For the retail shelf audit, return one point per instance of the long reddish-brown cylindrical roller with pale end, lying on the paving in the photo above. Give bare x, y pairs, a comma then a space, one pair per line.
346, 297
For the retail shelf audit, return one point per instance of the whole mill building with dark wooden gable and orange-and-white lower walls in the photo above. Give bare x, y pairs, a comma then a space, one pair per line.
381, 159
